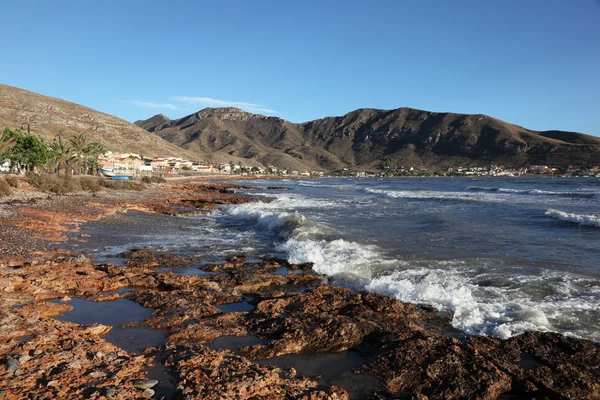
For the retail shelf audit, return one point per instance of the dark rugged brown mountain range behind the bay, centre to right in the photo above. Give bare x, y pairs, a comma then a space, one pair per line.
361, 139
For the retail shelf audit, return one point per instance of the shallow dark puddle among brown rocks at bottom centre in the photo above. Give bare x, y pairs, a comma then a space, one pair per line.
333, 368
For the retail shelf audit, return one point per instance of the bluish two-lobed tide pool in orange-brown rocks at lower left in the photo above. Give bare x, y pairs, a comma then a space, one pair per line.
116, 313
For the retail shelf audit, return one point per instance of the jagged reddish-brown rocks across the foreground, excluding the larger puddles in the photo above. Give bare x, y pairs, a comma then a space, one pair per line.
411, 350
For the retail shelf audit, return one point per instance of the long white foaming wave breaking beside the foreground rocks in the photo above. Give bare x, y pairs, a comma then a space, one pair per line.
450, 286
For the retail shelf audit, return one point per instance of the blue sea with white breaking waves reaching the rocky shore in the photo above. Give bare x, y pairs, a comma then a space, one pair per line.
503, 256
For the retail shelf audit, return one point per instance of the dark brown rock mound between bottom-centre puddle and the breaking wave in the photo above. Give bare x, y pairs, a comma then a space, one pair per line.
327, 319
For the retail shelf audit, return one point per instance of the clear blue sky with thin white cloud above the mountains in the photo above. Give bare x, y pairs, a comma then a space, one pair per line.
535, 63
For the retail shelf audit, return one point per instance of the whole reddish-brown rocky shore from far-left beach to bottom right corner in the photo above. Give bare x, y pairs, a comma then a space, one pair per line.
250, 327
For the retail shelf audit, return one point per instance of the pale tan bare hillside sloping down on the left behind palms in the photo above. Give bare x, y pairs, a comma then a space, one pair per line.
49, 117
